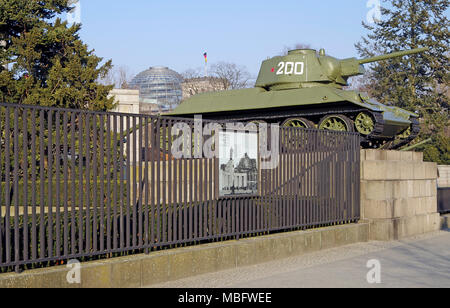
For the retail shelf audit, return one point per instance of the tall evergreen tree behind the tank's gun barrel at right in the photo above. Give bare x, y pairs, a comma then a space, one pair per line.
418, 82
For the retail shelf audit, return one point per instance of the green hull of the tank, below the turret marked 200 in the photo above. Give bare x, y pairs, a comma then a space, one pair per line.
311, 104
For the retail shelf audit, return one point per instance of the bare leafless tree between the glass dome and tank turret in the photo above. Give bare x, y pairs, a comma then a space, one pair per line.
230, 76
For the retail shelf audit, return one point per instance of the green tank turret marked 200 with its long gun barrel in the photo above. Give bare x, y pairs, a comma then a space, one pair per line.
306, 68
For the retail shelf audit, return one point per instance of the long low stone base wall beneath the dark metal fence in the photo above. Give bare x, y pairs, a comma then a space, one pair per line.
159, 267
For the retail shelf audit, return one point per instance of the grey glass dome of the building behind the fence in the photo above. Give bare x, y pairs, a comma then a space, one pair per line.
161, 84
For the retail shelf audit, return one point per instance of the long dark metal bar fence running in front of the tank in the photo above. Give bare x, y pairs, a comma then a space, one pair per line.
77, 184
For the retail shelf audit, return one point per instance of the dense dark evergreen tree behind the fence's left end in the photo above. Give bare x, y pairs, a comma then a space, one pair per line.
46, 62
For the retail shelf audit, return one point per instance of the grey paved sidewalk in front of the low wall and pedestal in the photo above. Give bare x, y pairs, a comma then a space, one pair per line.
422, 261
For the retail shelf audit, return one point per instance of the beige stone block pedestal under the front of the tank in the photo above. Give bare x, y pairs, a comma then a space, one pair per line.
398, 194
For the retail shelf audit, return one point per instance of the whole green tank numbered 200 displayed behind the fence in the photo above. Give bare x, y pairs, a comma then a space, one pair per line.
306, 89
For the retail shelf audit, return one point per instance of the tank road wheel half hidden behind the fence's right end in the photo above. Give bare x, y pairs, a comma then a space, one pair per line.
335, 123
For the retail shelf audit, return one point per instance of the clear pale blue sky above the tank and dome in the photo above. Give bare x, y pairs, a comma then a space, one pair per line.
176, 33
